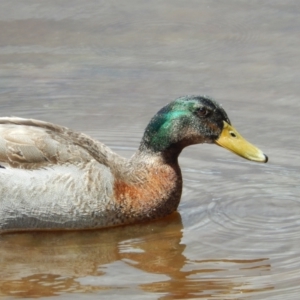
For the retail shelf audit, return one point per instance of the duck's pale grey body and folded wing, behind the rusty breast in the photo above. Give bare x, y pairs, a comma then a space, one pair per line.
53, 178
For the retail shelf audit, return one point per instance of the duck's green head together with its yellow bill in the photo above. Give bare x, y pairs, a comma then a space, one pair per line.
192, 120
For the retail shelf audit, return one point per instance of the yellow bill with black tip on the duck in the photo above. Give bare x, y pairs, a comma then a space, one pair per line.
230, 139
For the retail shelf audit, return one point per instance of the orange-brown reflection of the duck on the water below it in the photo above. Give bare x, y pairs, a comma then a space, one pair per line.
150, 255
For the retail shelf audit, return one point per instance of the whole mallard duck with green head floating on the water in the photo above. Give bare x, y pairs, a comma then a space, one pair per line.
53, 178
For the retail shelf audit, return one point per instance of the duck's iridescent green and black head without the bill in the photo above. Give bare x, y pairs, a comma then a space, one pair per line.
185, 121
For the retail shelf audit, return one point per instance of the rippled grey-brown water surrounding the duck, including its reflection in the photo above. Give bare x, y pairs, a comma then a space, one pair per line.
105, 68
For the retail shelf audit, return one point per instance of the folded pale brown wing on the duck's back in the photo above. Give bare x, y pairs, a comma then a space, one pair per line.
33, 144
